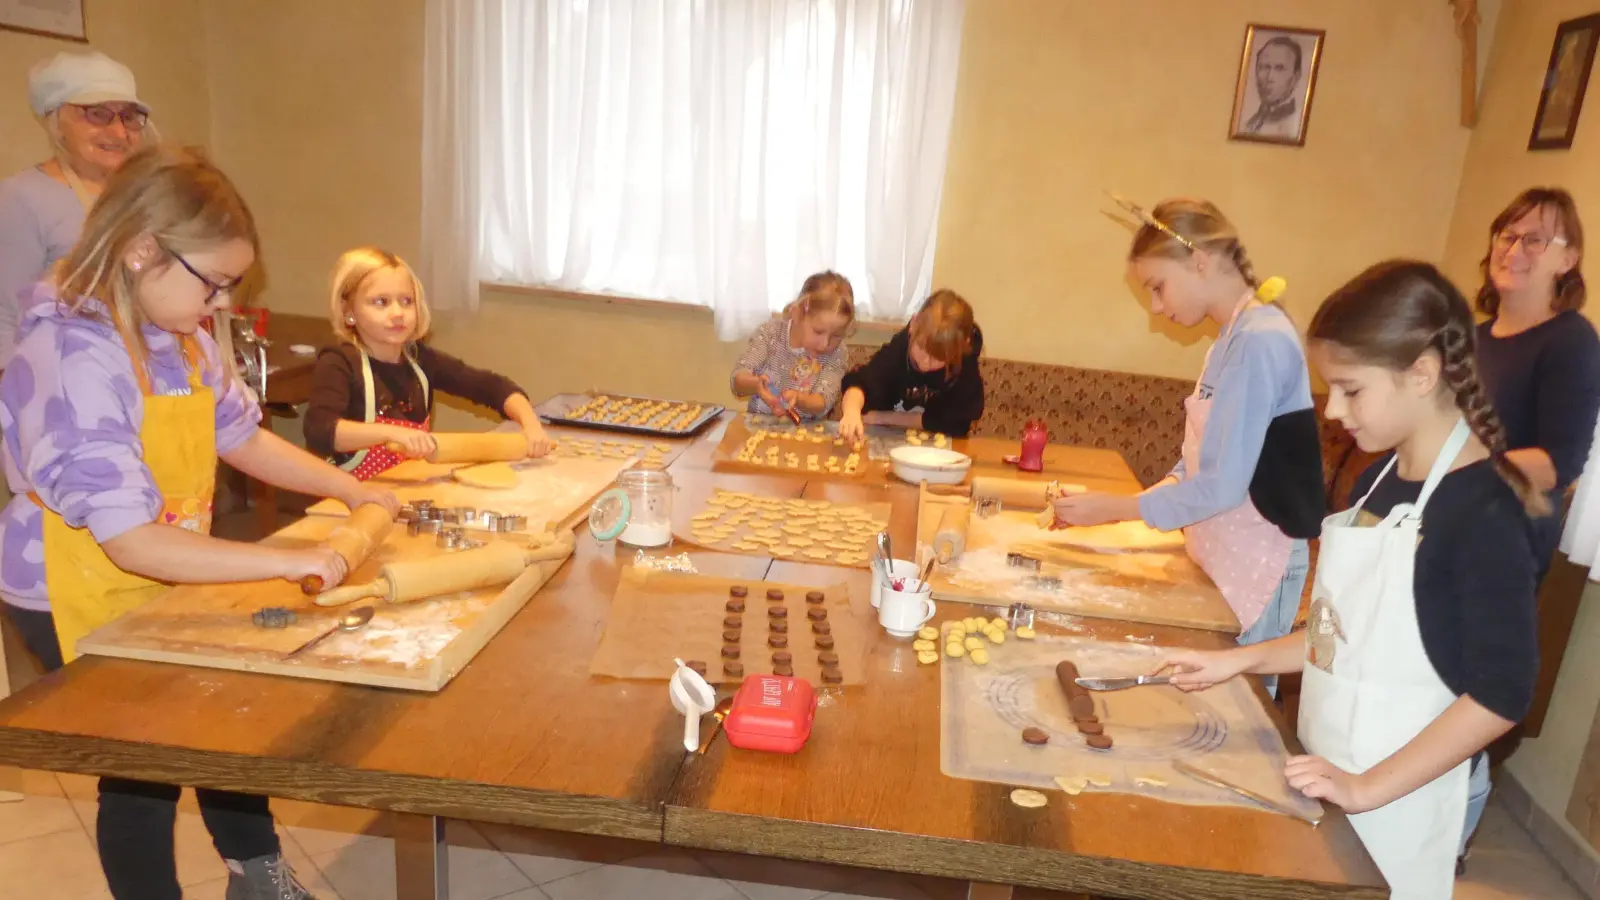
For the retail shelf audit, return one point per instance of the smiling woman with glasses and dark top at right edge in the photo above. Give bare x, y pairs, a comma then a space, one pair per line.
1538, 355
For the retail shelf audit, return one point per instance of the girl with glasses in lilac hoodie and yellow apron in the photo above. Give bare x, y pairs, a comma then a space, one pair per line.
116, 411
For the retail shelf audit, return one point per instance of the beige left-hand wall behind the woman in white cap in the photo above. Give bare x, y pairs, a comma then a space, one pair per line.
162, 41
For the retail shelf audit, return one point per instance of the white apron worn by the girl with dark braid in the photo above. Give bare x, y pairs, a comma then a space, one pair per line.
1369, 688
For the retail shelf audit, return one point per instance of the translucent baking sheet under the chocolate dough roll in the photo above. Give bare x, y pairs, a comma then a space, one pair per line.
1222, 731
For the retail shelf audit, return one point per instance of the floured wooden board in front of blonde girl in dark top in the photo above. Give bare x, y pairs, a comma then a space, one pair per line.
553, 494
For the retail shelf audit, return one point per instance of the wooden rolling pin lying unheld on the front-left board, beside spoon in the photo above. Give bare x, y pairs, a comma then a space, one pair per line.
489, 566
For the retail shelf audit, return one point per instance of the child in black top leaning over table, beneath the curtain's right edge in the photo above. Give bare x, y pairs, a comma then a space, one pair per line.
926, 377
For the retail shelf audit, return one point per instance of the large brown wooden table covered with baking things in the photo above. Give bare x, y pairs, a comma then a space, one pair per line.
548, 750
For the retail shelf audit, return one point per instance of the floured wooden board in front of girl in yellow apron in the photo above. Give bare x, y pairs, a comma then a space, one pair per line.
412, 646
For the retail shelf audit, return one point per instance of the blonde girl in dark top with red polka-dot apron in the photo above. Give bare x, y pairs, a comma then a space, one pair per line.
377, 387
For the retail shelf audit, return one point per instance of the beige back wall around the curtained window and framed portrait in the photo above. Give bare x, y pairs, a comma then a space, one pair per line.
318, 115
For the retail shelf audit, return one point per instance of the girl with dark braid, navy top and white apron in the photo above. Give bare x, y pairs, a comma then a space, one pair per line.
1423, 643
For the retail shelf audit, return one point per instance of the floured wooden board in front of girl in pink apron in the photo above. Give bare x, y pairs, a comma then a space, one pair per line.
1150, 587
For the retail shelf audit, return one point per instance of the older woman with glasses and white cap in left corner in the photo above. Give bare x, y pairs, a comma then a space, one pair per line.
92, 113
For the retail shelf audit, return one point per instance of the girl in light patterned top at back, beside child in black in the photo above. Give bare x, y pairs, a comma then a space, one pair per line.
798, 360
